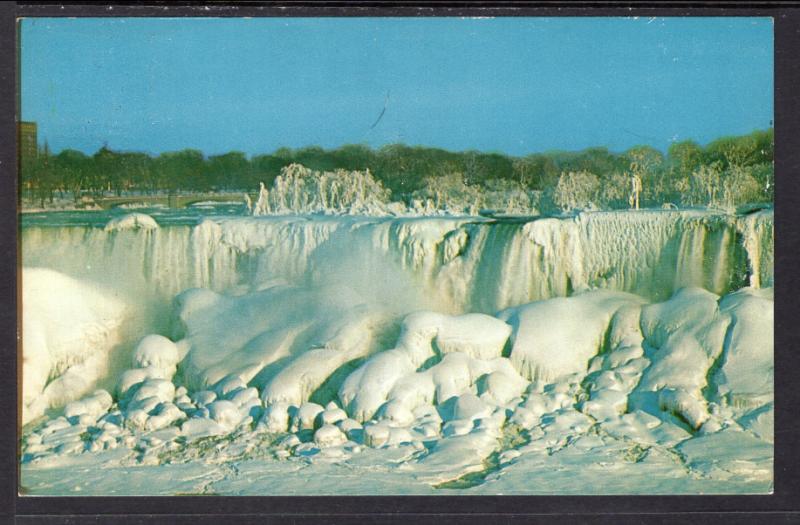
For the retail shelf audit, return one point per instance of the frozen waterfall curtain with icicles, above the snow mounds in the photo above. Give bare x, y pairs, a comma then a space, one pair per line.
453, 264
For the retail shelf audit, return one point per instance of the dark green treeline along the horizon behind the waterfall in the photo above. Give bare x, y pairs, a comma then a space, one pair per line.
729, 170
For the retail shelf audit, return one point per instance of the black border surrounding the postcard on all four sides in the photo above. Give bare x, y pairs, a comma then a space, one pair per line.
781, 506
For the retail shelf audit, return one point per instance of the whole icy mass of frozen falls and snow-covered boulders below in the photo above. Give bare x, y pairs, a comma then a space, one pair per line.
447, 352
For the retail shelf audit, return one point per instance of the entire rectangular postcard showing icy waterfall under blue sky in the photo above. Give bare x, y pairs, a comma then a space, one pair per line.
389, 256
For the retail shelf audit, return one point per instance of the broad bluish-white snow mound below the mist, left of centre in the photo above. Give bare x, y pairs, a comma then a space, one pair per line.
285, 340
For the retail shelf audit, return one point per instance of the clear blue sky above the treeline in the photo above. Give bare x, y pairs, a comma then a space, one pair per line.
514, 85
